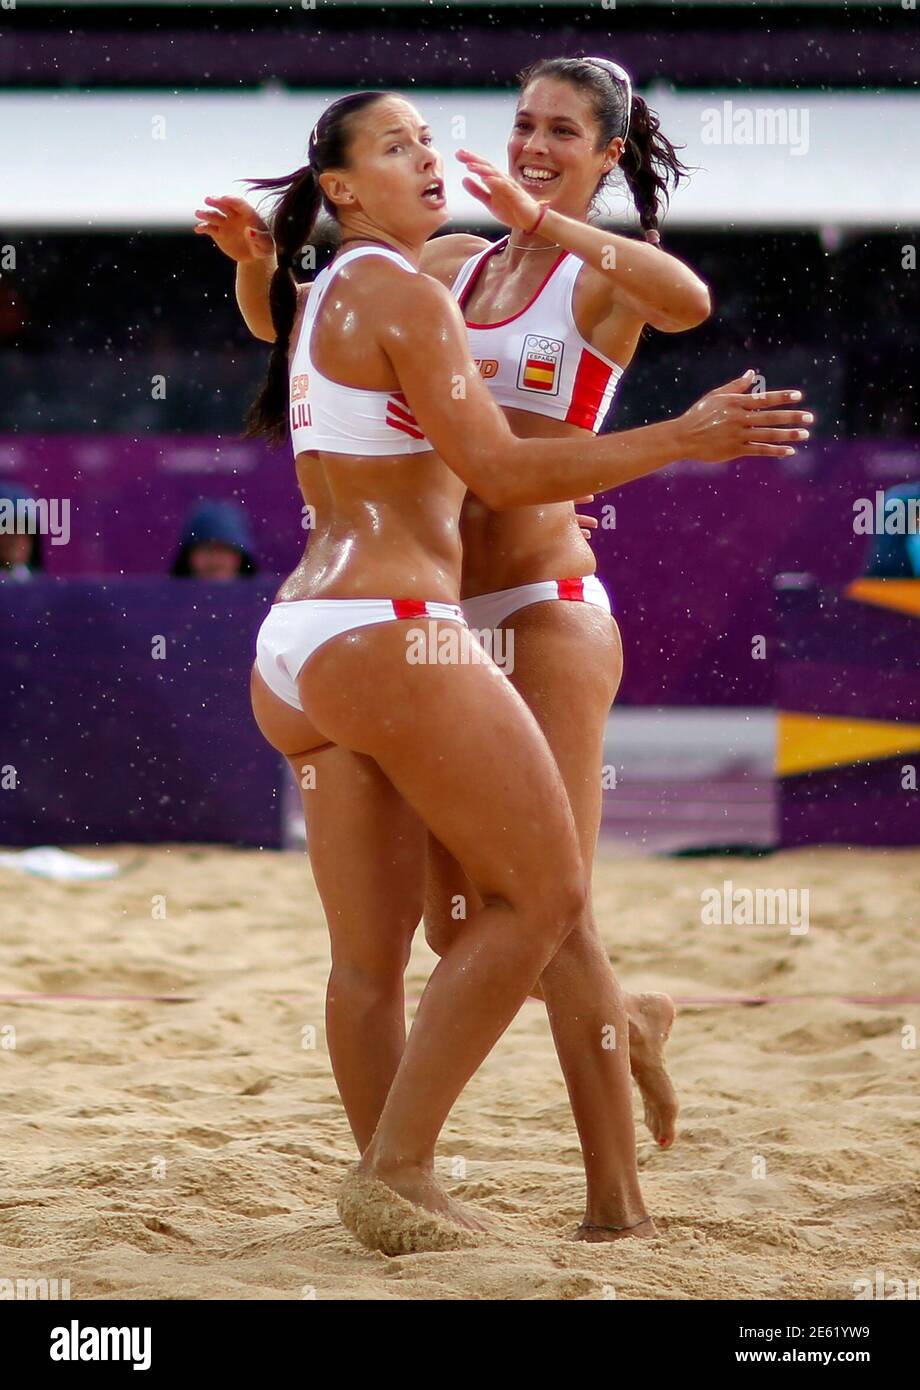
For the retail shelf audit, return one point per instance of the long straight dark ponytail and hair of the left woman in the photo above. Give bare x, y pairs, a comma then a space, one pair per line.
293, 223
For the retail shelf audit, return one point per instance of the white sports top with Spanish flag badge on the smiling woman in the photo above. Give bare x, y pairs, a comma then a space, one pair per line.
537, 359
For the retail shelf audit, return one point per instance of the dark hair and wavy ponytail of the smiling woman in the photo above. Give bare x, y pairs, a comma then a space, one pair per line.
650, 162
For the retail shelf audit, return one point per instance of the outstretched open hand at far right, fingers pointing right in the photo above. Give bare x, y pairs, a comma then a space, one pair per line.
732, 423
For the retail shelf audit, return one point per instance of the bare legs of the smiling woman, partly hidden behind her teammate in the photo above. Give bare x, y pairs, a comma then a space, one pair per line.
564, 648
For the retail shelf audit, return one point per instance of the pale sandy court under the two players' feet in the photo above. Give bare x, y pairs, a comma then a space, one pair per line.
191, 1147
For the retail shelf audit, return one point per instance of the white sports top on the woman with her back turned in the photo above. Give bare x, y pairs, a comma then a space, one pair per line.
334, 419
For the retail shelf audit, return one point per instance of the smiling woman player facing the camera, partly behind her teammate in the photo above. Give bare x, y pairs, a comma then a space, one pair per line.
526, 568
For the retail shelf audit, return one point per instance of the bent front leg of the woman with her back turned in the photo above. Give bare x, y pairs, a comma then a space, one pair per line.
459, 744
